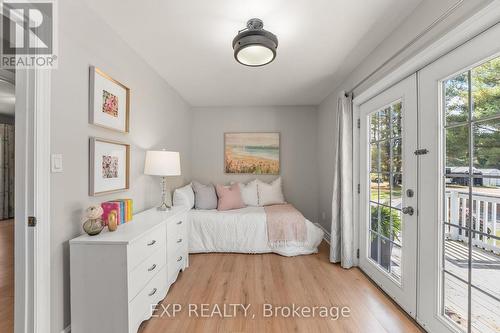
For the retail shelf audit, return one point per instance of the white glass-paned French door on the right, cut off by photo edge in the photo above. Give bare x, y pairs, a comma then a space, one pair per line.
459, 256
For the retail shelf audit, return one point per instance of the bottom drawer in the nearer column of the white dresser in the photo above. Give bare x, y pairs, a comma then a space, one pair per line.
140, 307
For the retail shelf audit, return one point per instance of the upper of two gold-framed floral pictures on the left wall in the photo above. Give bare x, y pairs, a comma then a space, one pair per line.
109, 104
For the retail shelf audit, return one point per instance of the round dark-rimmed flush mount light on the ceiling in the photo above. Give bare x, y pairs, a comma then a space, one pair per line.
255, 46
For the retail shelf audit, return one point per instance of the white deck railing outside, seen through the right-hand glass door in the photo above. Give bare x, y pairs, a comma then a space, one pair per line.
485, 222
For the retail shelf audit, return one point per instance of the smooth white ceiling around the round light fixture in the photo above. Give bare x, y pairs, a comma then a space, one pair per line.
188, 43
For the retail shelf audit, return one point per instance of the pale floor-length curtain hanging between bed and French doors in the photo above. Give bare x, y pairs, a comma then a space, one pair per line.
342, 230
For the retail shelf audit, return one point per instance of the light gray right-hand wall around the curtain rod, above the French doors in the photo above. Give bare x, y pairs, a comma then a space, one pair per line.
423, 16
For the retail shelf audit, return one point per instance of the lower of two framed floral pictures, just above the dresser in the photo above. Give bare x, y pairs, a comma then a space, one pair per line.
109, 166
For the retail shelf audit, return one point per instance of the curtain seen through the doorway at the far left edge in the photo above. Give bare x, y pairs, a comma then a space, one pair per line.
6, 171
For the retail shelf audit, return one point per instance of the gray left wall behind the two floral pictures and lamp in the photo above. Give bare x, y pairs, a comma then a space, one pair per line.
159, 119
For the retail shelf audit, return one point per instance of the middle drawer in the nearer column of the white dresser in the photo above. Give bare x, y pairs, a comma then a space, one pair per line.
145, 271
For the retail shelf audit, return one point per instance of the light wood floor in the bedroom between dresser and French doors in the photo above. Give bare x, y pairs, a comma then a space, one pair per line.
272, 279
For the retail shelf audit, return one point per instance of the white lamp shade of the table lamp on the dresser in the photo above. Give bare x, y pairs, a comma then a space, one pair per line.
162, 163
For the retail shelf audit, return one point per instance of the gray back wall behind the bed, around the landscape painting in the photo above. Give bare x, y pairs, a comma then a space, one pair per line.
297, 126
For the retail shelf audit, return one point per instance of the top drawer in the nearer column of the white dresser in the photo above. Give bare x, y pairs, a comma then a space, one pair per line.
145, 246
